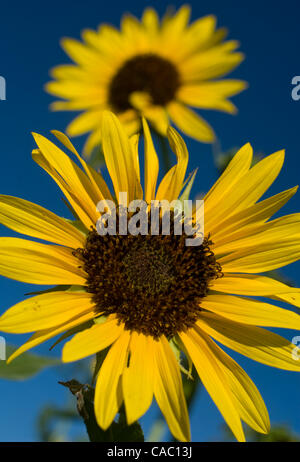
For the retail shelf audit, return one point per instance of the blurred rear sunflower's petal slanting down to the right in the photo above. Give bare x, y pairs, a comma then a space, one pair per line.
190, 123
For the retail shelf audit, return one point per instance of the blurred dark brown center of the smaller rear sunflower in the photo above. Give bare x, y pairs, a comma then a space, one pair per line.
148, 73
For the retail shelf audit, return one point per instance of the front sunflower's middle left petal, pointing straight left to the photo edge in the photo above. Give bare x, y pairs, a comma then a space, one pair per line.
37, 263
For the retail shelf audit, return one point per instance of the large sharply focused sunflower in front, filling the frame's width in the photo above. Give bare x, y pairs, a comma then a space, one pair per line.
146, 298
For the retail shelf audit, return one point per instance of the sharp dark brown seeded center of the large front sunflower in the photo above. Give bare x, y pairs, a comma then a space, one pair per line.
154, 284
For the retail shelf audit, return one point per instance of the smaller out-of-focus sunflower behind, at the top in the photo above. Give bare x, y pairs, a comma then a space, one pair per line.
148, 68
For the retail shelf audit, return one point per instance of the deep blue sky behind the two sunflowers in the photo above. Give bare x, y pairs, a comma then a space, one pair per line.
268, 118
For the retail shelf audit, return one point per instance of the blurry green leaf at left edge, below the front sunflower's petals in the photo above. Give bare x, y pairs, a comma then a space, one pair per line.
25, 366
